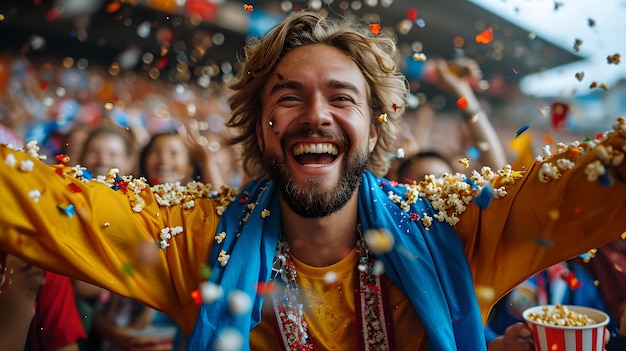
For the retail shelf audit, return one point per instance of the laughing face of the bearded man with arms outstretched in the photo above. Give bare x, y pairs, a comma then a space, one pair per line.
315, 128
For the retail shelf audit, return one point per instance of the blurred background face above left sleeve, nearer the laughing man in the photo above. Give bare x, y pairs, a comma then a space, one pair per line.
167, 160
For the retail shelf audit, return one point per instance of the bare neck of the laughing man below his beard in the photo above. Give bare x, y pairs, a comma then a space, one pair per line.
322, 241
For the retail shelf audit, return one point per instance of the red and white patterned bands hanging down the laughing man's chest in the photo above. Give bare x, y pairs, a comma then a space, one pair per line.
374, 320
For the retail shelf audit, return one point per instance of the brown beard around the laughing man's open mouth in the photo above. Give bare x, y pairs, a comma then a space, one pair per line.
315, 200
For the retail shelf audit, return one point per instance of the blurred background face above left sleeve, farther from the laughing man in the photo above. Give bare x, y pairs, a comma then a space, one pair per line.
105, 151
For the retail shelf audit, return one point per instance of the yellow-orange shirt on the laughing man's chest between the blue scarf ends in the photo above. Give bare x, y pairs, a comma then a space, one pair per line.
330, 311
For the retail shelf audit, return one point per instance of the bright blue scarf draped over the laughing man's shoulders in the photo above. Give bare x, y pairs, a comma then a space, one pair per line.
428, 266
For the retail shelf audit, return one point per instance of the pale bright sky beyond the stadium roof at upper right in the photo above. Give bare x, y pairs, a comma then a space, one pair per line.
563, 22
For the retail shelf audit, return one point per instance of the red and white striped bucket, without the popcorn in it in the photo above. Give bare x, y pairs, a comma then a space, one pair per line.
568, 338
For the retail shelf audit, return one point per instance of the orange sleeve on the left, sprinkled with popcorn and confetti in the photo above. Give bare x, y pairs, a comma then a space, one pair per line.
89, 231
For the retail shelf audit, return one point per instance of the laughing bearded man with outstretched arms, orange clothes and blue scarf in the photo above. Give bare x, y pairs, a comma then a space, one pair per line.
362, 264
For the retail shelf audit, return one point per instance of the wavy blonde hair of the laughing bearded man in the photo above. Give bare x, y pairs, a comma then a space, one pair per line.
374, 55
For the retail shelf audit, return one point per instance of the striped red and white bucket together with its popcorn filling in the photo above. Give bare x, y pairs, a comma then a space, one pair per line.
567, 328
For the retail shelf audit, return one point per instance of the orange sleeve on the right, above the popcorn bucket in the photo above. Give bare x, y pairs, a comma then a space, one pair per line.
557, 210
